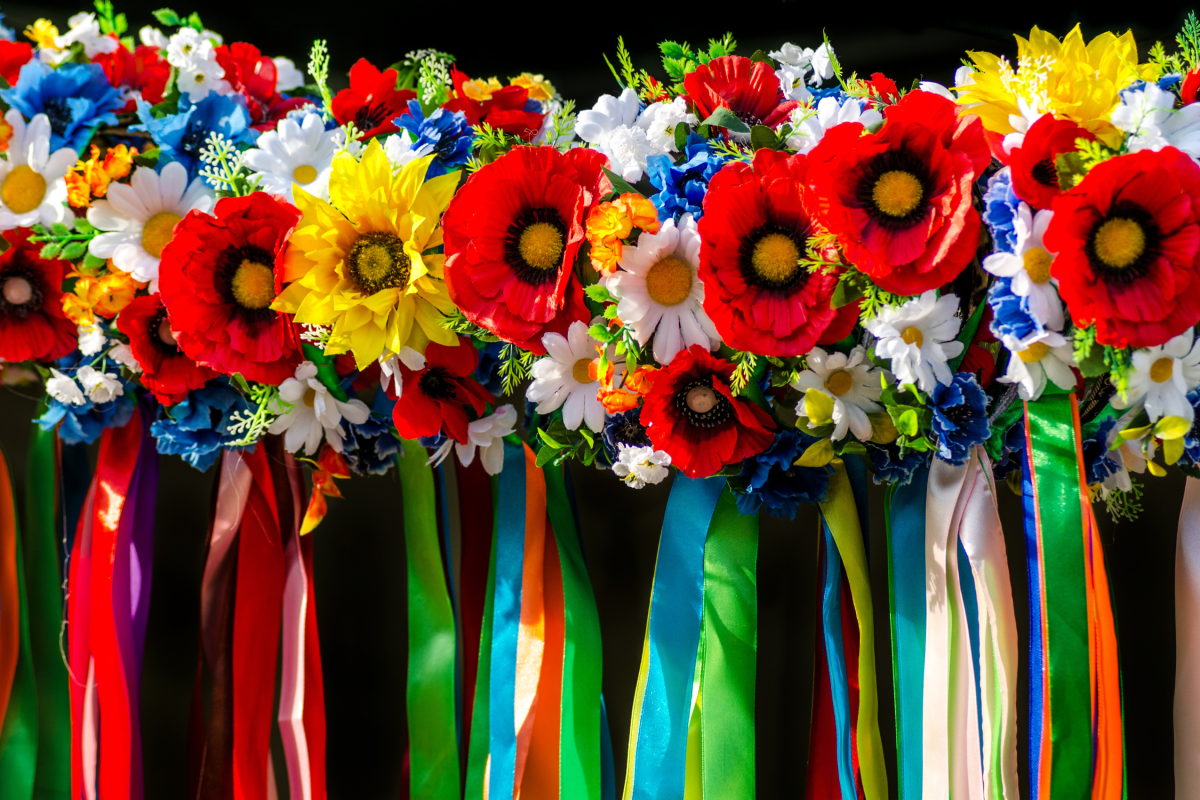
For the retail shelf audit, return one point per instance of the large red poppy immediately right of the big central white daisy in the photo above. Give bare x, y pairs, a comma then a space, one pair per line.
754, 233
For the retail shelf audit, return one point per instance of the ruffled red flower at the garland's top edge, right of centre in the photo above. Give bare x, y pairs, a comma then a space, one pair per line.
747, 88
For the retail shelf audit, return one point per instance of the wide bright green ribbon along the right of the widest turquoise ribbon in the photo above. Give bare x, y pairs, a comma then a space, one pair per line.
729, 648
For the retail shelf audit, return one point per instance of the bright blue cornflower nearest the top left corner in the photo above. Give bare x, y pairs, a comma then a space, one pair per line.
76, 99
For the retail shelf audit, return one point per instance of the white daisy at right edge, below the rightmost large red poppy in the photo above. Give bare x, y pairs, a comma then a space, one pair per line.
1161, 378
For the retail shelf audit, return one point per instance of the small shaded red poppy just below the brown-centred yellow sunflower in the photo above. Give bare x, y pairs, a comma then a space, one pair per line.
435, 399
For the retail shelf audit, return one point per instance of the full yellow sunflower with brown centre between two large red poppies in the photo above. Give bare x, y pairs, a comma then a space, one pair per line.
362, 262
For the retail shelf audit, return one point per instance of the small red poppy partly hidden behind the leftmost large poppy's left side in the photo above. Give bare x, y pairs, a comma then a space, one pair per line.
166, 371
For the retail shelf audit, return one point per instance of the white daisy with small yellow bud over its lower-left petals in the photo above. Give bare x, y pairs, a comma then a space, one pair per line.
851, 382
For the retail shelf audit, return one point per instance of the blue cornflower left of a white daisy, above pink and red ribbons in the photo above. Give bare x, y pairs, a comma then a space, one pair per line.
199, 428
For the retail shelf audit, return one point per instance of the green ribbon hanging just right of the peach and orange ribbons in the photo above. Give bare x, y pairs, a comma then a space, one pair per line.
580, 726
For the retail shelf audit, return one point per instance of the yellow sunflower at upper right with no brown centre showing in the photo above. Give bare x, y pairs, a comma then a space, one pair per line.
1071, 80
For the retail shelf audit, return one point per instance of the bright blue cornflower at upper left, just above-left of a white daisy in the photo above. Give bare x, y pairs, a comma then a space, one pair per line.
181, 136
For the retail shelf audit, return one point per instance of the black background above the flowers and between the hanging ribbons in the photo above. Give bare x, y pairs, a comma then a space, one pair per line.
359, 550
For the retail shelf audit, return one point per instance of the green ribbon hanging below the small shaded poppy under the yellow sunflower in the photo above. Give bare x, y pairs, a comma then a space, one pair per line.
433, 639
